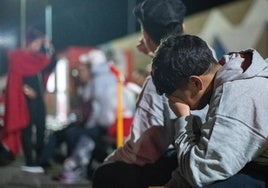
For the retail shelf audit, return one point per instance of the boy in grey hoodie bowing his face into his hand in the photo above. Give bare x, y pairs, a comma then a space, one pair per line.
234, 137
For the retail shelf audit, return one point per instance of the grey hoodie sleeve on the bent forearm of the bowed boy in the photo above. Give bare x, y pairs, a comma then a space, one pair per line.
218, 154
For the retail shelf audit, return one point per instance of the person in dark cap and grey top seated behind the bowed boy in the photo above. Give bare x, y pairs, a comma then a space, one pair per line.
145, 159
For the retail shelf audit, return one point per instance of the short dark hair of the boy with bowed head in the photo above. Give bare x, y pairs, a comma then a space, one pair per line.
177, 58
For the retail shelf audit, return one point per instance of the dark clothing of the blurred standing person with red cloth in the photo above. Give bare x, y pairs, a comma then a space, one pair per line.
37, 117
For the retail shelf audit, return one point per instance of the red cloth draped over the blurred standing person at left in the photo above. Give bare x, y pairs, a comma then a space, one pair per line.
22, 63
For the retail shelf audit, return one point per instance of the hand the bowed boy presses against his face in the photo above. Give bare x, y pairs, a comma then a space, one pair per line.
178, 106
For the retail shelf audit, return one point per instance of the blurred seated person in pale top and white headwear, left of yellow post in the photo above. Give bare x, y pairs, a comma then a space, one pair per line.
103, 97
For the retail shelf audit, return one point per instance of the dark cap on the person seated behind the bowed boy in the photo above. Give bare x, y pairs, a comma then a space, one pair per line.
159, 18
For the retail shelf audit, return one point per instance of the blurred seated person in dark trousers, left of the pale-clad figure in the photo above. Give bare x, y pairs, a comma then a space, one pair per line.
80, 111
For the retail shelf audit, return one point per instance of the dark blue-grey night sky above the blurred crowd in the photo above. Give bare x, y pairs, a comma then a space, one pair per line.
77, 22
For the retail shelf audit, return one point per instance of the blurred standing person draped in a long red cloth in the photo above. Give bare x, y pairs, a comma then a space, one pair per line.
25, 108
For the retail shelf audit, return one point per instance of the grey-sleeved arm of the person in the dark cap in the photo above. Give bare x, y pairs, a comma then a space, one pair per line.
144, 145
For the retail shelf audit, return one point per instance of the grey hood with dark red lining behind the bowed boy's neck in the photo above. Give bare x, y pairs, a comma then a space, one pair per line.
241, 65
